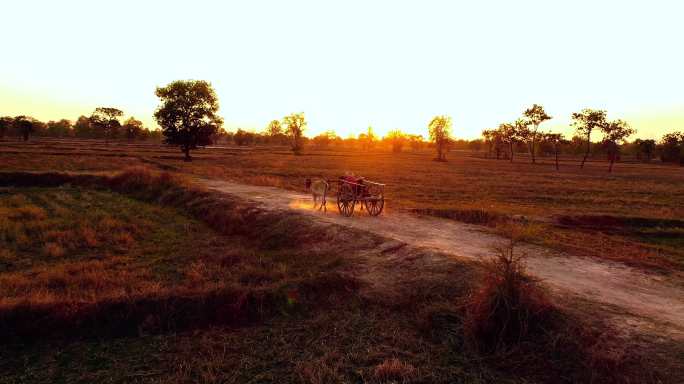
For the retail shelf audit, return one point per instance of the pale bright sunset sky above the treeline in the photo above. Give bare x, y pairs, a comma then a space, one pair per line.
351, 64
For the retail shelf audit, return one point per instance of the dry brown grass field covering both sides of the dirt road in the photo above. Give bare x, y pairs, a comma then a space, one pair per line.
141, 277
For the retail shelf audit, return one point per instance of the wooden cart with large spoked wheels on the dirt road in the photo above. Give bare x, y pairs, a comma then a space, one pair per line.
366, 193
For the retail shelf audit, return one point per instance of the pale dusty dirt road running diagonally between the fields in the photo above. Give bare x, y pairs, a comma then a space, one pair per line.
646, 301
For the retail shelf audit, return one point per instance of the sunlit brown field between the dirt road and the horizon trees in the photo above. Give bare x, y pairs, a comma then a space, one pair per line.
633, 215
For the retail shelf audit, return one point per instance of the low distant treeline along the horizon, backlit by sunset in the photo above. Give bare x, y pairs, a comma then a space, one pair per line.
502, 143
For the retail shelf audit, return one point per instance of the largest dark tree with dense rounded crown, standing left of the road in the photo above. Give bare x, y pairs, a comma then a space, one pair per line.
188, 114
